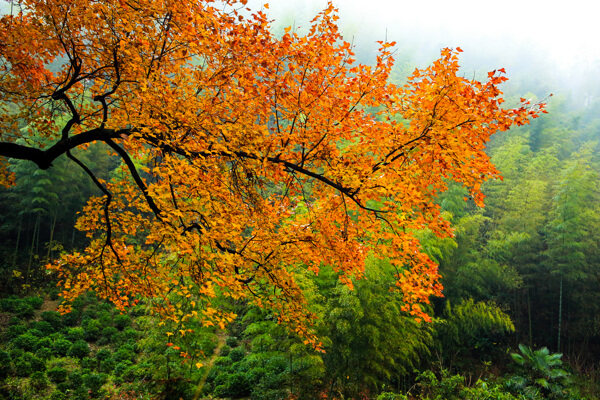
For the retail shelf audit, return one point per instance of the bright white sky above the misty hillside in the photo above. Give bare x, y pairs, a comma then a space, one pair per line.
566, 33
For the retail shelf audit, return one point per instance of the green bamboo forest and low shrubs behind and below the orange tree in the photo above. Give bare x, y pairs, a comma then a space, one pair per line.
519, 320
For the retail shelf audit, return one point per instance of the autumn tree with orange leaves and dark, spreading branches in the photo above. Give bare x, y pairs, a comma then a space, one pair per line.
245, 156
